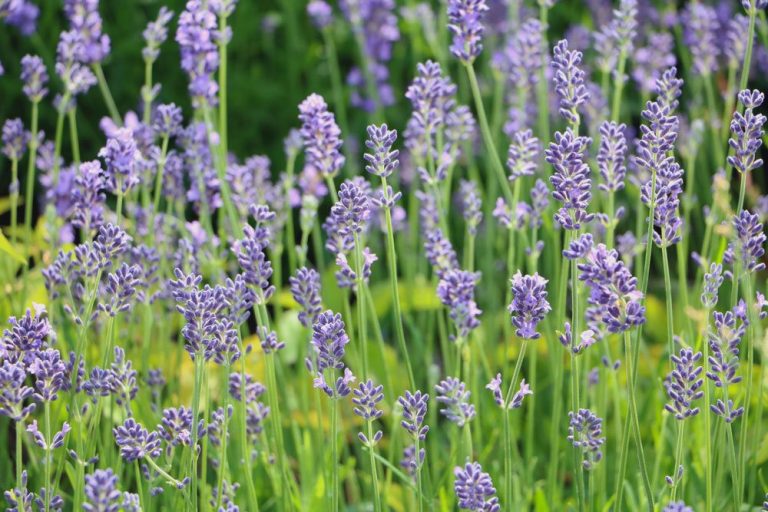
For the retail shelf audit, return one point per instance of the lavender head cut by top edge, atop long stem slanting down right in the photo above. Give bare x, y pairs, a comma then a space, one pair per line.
465, 22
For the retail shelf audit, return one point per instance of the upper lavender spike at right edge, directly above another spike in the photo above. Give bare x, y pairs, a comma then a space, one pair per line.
747, 132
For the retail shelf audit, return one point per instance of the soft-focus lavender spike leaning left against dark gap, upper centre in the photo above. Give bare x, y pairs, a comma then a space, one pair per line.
321, 136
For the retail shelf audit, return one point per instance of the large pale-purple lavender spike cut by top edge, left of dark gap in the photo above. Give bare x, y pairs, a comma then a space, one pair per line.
197, 35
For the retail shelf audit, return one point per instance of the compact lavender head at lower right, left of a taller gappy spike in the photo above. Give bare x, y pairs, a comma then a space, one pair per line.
683, 384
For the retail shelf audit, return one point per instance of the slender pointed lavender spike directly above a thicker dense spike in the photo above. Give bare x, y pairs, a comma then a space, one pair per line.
569, 80
